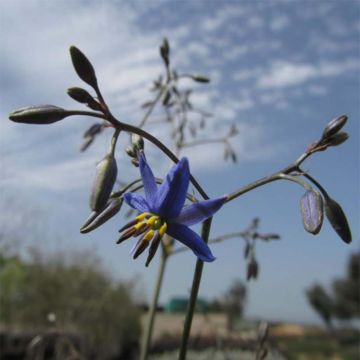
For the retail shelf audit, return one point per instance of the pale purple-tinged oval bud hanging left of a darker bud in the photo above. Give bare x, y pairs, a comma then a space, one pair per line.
312, 211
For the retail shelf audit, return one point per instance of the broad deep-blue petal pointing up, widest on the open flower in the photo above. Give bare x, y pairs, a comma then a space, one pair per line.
172, 192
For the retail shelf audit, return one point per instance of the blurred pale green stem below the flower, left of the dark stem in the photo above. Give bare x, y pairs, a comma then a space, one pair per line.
146, 340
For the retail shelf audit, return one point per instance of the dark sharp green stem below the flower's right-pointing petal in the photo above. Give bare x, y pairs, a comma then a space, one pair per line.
205, 232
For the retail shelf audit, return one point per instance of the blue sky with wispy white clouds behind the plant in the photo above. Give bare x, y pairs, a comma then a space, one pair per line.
280, 70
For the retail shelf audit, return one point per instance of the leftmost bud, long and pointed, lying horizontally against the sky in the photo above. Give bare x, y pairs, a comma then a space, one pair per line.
42, 114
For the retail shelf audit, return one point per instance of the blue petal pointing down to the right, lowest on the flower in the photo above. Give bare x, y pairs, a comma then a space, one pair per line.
191, 240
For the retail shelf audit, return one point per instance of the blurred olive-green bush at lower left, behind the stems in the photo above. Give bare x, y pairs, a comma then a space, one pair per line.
70, 294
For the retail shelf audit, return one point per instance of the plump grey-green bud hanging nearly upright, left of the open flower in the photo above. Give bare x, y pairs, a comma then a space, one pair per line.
105, 177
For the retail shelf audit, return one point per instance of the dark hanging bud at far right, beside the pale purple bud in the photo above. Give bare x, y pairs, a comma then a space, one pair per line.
337, 219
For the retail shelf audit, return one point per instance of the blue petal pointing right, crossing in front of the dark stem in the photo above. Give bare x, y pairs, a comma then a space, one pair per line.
199, 211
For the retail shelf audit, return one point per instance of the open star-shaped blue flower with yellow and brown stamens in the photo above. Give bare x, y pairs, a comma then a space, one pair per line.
162, 211
